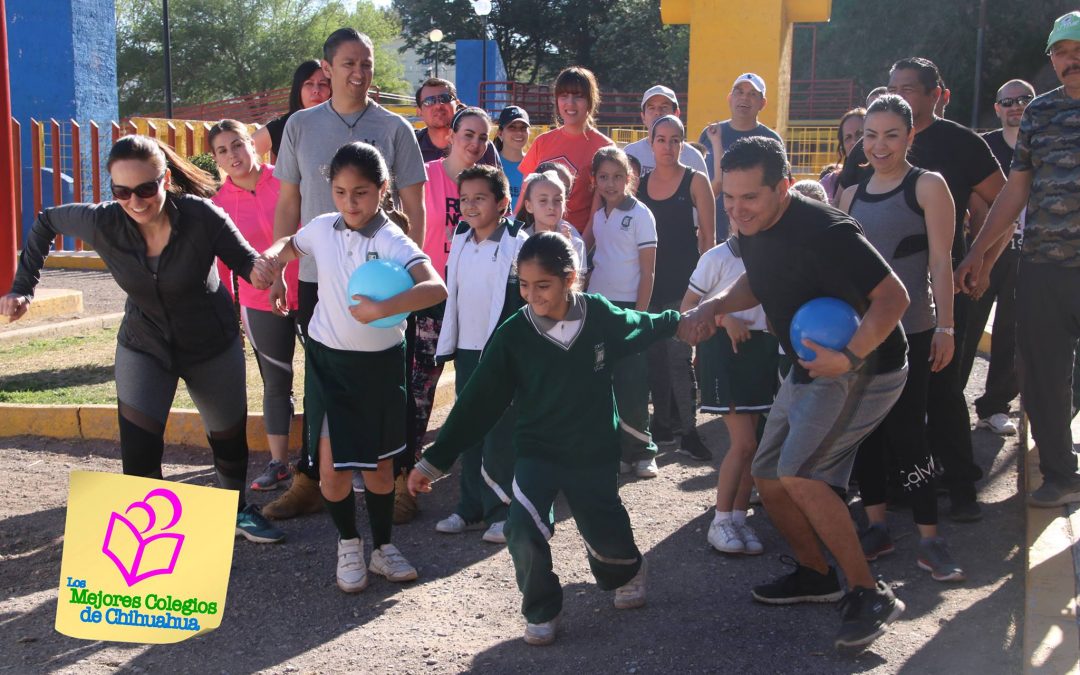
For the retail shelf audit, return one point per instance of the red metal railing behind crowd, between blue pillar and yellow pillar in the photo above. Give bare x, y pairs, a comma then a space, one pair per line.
616, 109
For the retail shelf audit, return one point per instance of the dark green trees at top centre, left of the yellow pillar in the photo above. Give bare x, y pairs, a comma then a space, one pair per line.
623, 42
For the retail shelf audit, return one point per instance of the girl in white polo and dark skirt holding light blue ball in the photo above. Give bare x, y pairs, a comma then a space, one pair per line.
355, 390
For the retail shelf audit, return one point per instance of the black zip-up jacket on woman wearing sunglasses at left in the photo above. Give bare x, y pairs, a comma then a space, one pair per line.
181, 315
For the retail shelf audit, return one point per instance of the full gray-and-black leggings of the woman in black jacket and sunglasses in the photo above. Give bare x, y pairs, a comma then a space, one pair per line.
145, 393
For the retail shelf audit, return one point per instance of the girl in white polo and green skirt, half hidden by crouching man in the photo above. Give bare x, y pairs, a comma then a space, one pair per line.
737, 373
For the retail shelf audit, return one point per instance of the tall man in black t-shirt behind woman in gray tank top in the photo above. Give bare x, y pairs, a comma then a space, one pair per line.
966, 163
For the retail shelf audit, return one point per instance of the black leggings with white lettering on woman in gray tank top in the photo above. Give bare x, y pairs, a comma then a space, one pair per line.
899, 443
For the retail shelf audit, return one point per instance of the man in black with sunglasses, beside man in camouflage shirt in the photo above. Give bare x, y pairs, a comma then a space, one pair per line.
1002, 386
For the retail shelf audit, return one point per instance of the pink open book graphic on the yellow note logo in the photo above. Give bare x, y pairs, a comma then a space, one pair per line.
143, 553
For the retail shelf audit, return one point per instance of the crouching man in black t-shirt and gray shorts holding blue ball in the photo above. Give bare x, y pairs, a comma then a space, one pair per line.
796, 250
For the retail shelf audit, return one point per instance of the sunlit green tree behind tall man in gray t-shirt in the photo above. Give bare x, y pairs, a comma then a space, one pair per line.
231, 48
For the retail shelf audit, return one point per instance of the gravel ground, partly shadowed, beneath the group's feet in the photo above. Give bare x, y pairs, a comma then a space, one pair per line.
286, 615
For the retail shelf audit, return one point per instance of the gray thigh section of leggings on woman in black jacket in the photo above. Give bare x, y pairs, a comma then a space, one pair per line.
218, 387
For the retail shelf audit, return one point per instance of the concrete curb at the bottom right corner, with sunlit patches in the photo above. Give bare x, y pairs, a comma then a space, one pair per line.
1051, 583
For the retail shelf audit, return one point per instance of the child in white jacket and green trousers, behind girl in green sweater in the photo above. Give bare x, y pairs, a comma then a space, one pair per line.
483, 293
